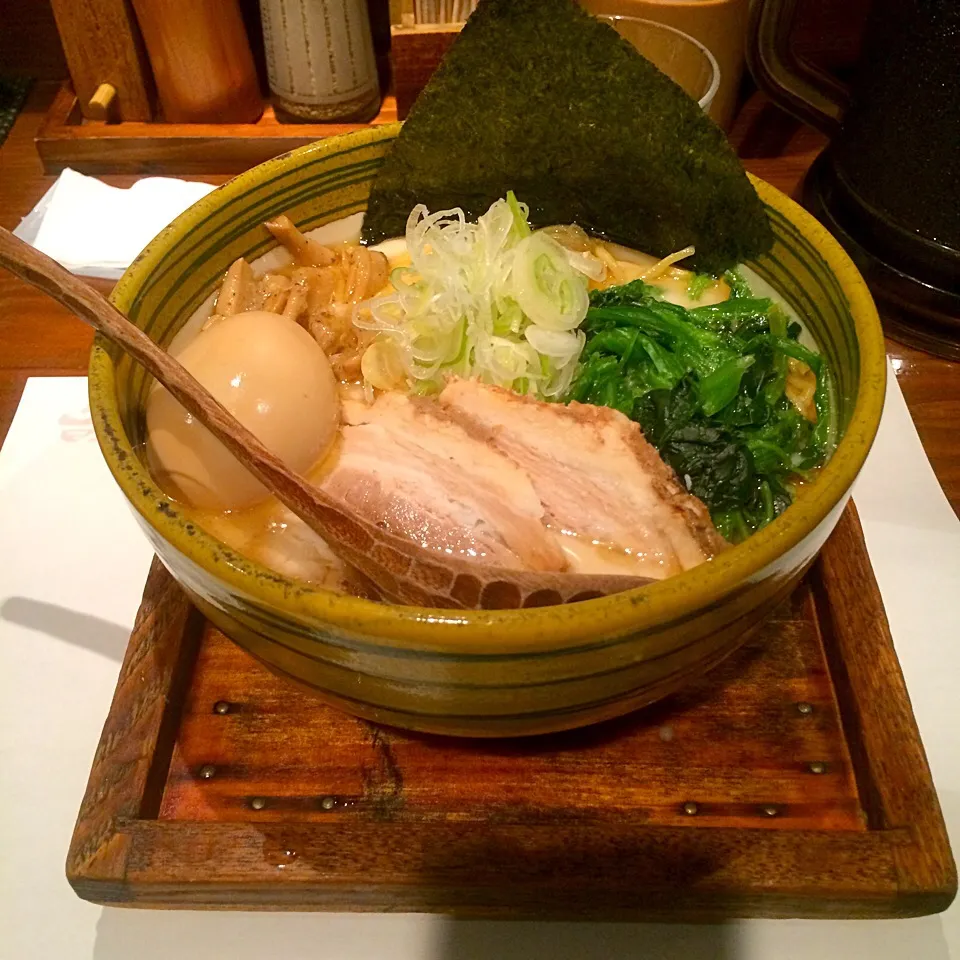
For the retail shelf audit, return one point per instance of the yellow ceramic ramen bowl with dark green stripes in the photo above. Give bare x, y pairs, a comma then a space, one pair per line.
476, 673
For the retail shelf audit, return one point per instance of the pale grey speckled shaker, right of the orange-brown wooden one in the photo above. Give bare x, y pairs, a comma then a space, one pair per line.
320, 59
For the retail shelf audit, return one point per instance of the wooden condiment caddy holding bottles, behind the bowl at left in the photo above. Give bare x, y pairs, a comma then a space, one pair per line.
109, 119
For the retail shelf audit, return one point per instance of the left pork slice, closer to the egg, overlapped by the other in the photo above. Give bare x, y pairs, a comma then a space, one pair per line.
408, 466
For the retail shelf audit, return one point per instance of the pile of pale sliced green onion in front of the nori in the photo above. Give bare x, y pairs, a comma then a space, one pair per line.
489, 299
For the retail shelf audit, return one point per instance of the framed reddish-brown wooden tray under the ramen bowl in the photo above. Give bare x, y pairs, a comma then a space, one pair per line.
790, 781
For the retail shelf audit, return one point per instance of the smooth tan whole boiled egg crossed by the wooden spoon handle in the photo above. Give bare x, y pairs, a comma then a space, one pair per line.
274, 378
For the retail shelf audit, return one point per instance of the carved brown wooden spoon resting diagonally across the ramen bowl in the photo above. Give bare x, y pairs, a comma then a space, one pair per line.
402, 570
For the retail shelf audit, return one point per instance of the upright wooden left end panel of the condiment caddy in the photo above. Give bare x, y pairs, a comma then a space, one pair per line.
102, 44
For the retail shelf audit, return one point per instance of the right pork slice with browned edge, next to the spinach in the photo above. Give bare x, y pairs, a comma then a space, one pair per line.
608, 496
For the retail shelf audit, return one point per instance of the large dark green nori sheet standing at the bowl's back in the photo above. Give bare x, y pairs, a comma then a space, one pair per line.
539, 97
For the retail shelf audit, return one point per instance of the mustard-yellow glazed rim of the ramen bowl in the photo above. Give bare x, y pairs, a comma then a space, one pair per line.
464, 631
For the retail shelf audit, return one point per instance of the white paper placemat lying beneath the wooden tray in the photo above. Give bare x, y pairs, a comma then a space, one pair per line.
72, 570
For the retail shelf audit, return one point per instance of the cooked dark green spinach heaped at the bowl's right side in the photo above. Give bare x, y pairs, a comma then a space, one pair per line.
707, 387
